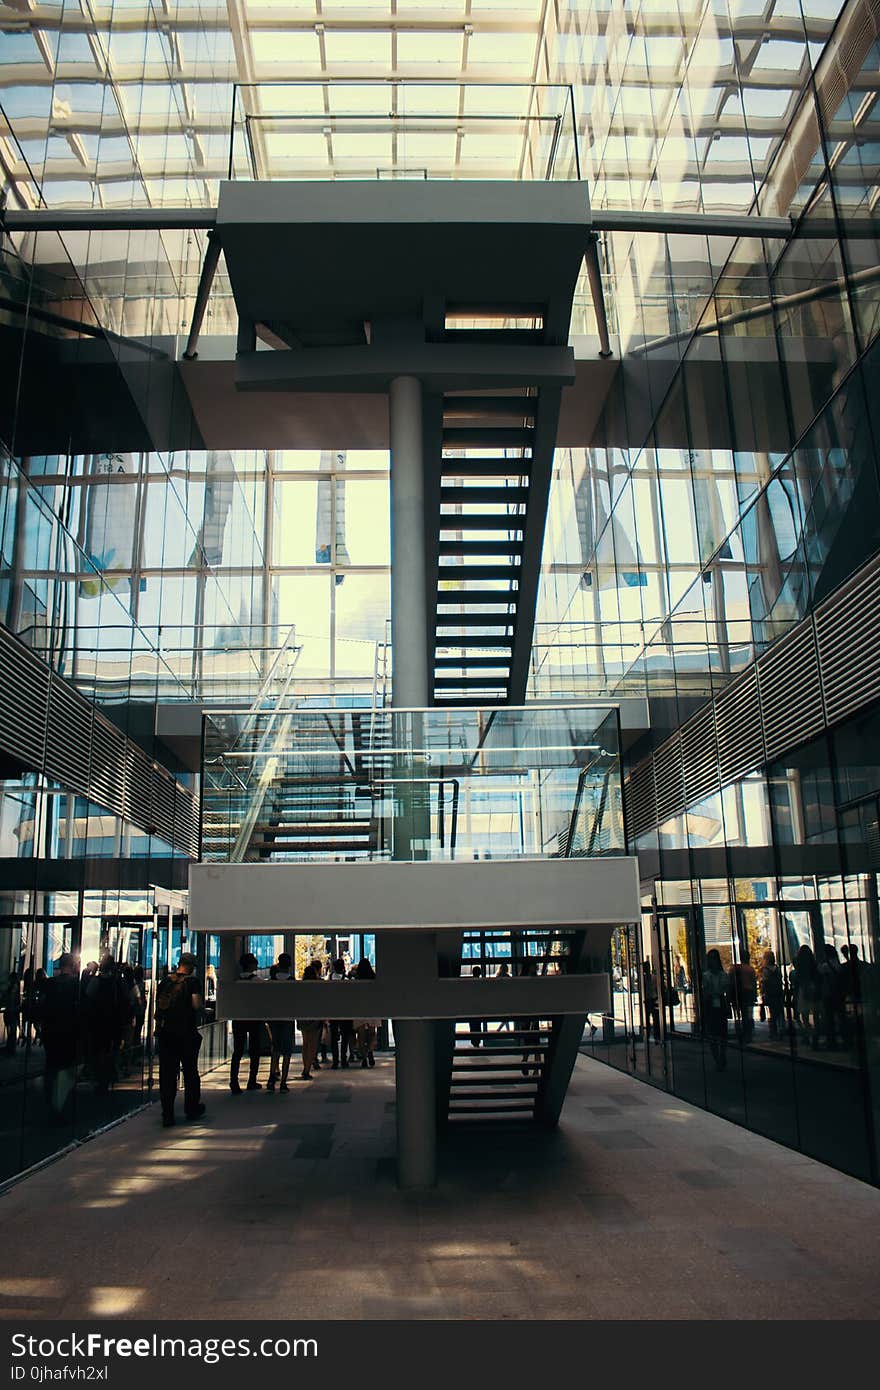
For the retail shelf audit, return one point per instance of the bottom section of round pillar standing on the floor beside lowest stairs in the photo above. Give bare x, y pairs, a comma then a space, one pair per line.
416, 1103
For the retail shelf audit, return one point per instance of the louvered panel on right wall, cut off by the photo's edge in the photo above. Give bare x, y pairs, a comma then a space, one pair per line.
849, 640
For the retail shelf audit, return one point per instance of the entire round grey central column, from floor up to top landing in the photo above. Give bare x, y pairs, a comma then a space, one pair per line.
415, 1075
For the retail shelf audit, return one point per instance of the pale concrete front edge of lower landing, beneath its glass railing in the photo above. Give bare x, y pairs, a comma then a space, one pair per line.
430, 897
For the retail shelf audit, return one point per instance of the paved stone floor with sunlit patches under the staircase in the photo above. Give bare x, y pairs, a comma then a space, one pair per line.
286, 1207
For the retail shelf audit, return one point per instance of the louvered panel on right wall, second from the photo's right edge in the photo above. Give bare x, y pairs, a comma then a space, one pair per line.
790, 692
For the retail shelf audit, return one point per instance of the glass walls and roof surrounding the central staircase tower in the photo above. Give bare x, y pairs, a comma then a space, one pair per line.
710, 565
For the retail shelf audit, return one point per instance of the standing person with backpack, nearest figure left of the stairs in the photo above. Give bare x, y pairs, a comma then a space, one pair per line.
179, 1011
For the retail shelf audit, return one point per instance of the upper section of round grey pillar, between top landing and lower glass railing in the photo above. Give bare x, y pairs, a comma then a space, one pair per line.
409, 600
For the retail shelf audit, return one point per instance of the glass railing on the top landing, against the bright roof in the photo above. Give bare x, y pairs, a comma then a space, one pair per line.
391, 129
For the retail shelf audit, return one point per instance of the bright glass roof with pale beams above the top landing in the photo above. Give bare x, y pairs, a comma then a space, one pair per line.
124, 104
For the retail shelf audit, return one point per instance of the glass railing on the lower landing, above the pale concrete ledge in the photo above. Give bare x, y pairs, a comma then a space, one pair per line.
376, 785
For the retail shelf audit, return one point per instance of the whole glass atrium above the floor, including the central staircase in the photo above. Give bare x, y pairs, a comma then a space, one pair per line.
447, 434
